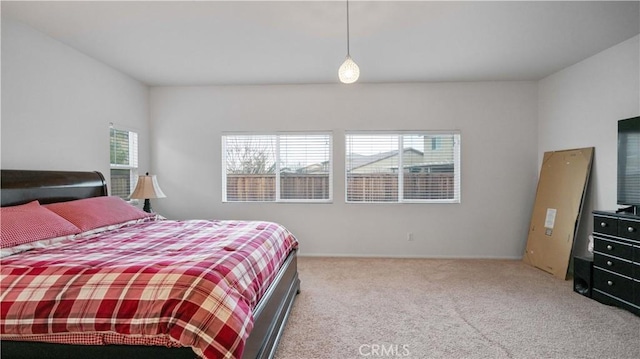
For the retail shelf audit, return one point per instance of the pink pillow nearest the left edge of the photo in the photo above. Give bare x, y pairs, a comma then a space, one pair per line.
31, 222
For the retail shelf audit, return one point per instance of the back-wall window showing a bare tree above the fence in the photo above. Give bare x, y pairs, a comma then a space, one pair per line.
279, 167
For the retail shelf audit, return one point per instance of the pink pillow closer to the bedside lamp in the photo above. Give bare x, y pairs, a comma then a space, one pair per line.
96, 212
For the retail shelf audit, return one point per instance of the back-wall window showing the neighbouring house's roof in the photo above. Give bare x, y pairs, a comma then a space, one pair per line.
403, 167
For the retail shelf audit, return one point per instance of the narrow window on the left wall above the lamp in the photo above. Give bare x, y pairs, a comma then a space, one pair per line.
124, 161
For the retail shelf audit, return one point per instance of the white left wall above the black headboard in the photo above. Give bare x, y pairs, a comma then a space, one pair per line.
57, 104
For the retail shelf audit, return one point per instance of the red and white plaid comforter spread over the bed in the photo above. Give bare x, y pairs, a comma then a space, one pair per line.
178, 283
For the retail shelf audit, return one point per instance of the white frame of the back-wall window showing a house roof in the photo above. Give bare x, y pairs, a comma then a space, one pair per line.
457, 195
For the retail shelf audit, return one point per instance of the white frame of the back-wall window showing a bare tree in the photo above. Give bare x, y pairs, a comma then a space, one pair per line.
278, 189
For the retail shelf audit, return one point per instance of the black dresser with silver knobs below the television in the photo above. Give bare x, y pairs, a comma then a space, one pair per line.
616, 259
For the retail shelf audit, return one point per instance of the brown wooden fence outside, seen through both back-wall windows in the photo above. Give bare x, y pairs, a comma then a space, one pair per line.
376, 187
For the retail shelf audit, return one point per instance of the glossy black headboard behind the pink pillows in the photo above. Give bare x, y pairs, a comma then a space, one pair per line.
23, 186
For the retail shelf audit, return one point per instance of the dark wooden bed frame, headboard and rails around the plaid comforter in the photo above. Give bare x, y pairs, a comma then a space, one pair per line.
270, 315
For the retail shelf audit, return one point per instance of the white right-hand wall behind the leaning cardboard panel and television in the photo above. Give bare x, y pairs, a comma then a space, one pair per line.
580, 106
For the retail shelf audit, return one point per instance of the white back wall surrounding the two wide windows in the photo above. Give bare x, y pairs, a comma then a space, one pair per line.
497, 121
